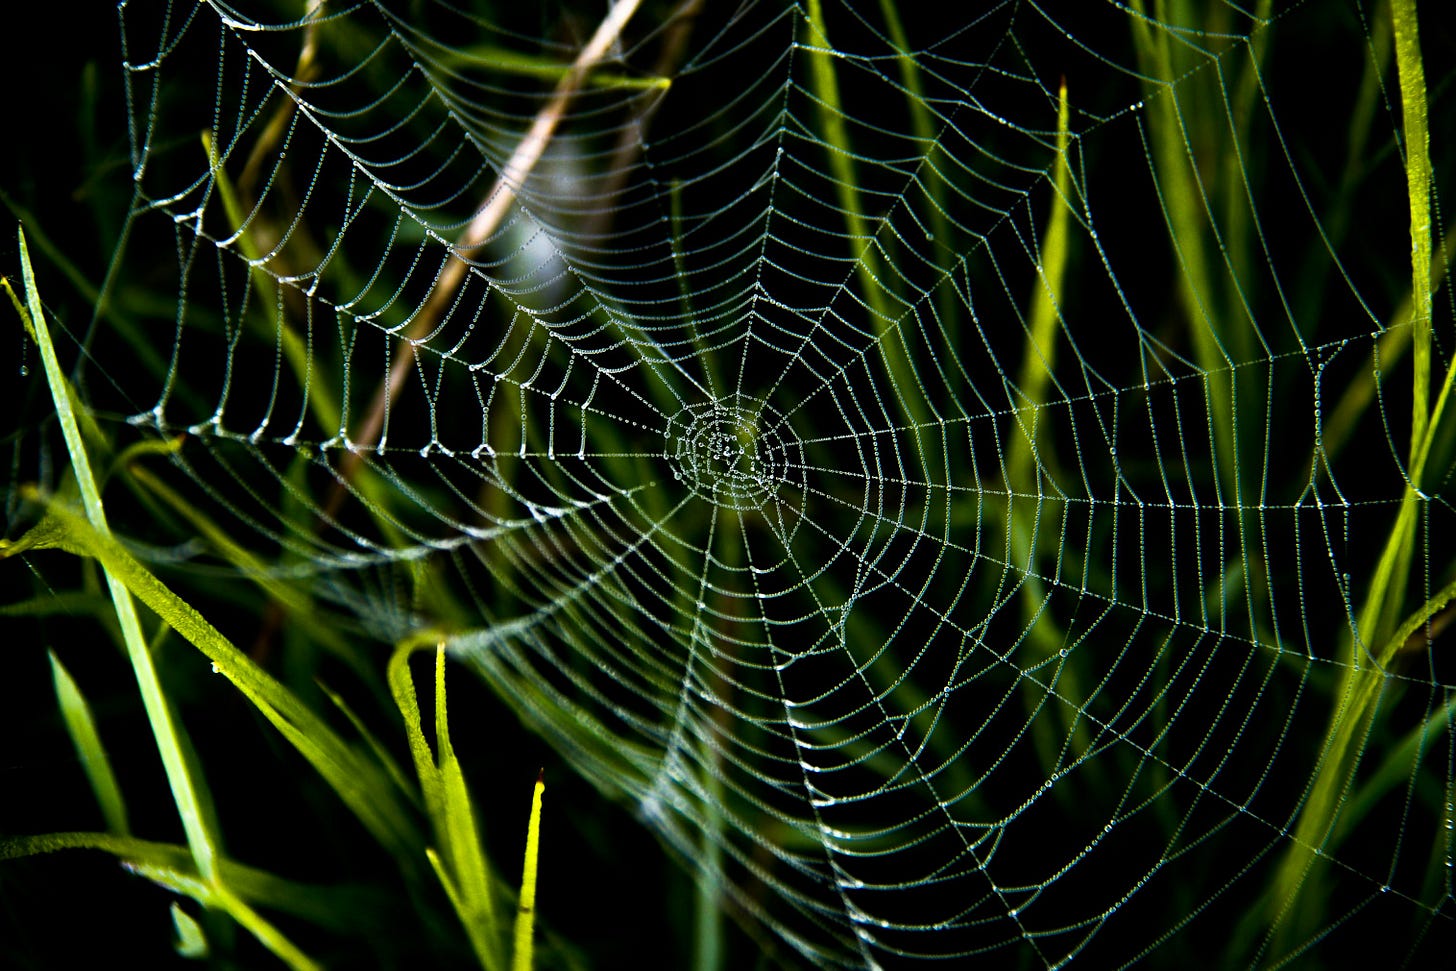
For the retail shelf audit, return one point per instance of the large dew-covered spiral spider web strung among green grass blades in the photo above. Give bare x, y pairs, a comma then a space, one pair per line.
953, 529
